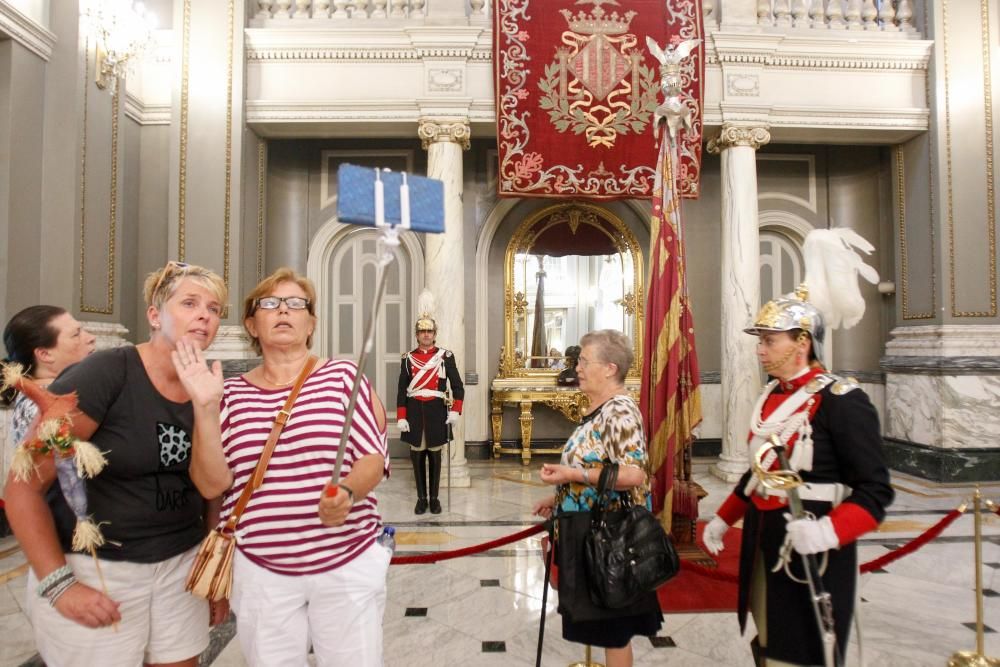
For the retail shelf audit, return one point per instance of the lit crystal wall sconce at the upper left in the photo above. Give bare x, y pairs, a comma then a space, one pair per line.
121, 29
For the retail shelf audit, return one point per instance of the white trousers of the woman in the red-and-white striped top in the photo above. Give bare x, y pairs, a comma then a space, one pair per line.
339, 612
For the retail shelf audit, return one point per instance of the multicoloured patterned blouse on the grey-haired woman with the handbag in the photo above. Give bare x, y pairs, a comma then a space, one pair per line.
611, 432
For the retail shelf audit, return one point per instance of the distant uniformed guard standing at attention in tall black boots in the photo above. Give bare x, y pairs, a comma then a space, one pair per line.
422, 412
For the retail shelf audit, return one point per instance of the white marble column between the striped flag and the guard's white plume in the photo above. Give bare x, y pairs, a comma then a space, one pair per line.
740, 290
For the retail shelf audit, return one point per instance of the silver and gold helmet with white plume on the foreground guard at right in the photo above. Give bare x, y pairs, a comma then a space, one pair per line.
830, 297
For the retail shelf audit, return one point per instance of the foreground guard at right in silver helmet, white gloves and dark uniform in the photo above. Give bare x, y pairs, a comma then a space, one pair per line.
830, 431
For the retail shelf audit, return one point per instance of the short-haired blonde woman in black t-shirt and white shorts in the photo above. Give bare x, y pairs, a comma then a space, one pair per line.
132, 407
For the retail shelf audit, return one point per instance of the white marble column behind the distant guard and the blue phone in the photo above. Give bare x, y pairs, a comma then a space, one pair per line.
444, 140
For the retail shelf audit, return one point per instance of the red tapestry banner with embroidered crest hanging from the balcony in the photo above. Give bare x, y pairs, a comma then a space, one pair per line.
576, 90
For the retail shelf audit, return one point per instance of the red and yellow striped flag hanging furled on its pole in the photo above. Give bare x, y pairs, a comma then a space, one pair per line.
669, 396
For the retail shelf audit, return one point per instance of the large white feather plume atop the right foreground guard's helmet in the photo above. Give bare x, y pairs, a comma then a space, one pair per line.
832, 269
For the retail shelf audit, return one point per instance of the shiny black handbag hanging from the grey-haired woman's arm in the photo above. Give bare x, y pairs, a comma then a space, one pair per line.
627, 553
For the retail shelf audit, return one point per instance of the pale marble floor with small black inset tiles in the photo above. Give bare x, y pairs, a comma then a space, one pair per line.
484, 610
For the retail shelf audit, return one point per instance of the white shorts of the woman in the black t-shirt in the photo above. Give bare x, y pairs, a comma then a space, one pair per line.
161, 622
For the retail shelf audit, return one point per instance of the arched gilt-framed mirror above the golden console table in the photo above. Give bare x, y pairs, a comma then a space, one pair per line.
568, 269
